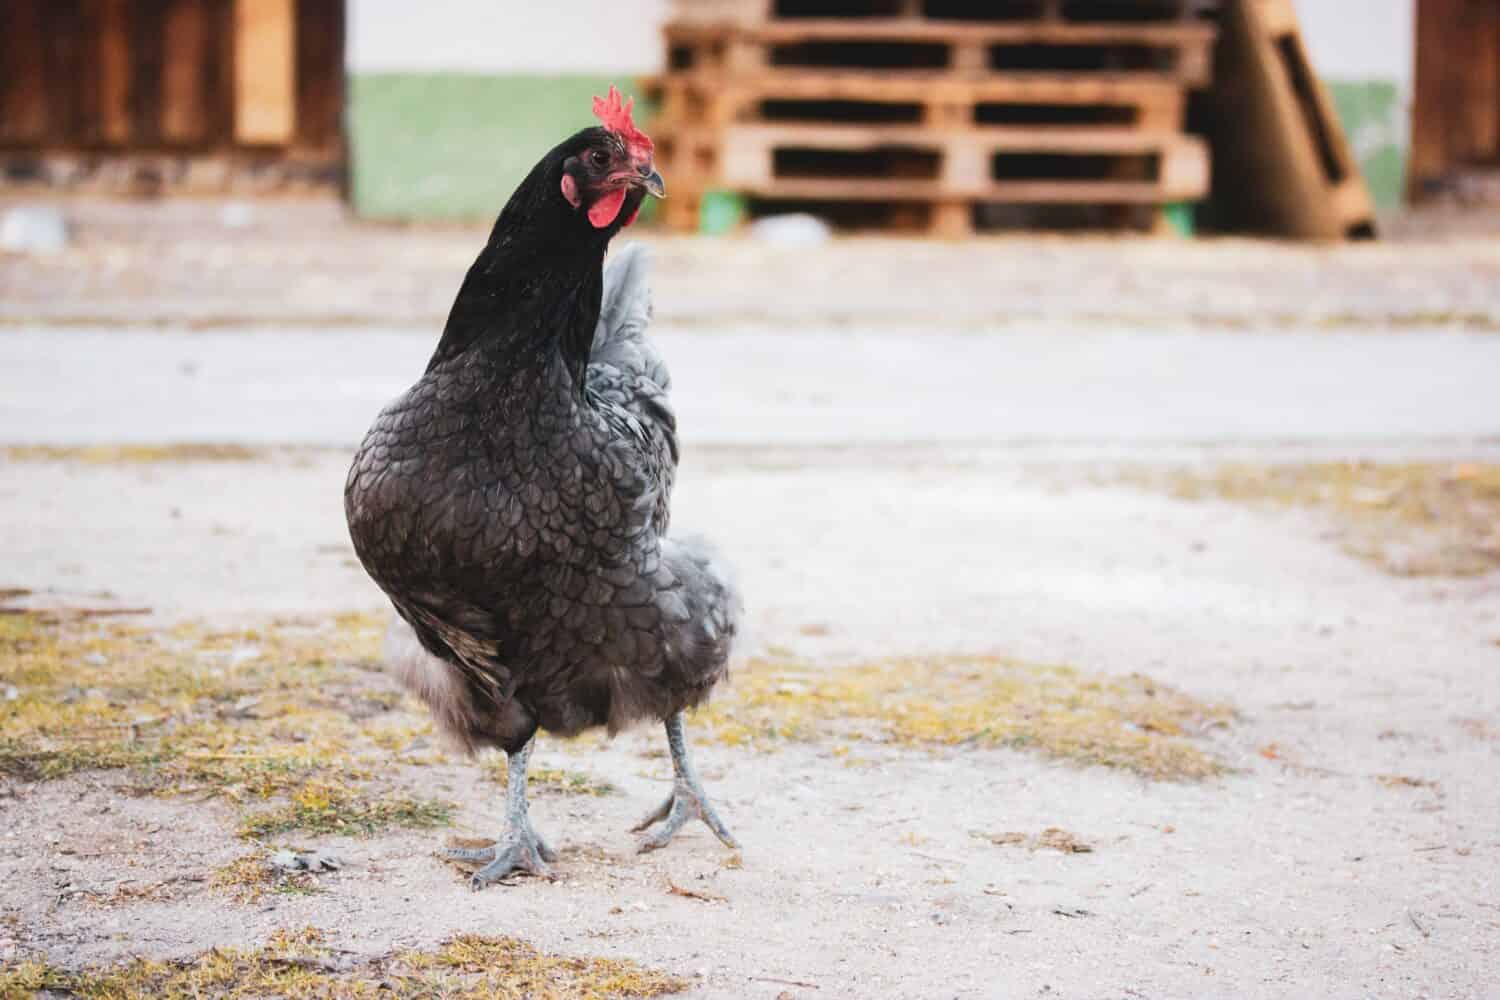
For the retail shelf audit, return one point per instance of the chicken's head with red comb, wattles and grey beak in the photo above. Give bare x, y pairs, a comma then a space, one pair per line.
613, 169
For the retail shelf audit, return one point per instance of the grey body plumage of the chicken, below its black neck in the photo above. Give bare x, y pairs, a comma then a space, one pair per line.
518, 522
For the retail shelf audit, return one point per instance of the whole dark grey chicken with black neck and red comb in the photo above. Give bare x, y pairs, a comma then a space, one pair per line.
514, 504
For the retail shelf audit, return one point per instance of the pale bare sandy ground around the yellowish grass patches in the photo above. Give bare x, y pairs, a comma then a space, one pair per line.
931, 479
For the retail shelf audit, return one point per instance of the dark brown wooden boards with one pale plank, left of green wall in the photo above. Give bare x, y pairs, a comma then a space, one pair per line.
191, 97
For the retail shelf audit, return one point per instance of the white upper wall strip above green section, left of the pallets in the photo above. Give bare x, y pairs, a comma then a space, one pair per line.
506, 37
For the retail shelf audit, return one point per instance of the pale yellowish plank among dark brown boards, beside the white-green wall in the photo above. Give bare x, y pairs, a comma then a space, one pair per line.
265, 73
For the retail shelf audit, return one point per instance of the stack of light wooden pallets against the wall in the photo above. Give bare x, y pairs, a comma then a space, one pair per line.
932, 113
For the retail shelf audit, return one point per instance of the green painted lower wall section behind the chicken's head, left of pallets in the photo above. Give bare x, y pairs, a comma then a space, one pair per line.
454, 146
